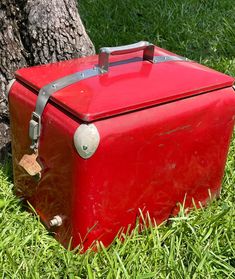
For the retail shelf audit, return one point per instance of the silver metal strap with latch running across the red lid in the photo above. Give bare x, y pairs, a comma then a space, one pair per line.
46, 92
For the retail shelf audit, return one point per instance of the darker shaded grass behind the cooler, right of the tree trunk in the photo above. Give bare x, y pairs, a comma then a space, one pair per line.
200, 30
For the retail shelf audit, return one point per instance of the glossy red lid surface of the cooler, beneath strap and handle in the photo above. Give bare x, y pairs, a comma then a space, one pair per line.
127, 86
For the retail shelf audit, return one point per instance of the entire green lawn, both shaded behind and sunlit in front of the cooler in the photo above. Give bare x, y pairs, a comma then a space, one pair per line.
198, 245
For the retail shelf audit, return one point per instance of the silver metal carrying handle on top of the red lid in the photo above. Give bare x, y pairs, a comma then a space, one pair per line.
148, 53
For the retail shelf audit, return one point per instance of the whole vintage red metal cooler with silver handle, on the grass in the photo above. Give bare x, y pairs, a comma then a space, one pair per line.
96, 139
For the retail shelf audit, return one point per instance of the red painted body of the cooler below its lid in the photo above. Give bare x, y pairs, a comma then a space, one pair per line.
149, 159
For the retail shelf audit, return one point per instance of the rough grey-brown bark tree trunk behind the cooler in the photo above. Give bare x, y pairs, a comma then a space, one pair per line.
36, 32
